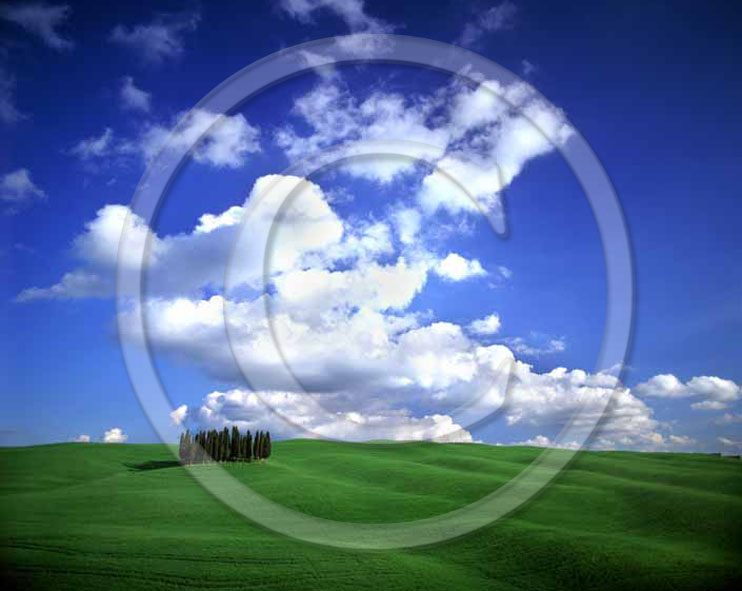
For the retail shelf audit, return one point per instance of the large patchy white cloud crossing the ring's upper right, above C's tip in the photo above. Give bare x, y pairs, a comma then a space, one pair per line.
479, 138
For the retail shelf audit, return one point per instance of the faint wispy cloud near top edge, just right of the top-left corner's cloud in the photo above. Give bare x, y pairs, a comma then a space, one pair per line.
160, 40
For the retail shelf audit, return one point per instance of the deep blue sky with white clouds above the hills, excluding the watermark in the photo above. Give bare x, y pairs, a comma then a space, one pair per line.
88, 93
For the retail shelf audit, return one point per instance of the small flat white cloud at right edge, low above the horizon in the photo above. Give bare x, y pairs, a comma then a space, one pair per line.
711, 392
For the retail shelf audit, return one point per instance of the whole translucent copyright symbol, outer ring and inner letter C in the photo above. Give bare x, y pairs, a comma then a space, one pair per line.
325, 54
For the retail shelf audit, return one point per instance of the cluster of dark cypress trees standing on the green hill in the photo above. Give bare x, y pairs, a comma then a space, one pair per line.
224, 446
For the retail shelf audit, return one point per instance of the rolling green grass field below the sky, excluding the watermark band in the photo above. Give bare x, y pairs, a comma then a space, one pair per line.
95, 516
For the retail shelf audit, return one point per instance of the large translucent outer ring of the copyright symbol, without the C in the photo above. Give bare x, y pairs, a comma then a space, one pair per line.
136, 244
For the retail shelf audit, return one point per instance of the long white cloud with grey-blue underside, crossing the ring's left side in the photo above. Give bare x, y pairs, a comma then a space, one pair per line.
187, 263
